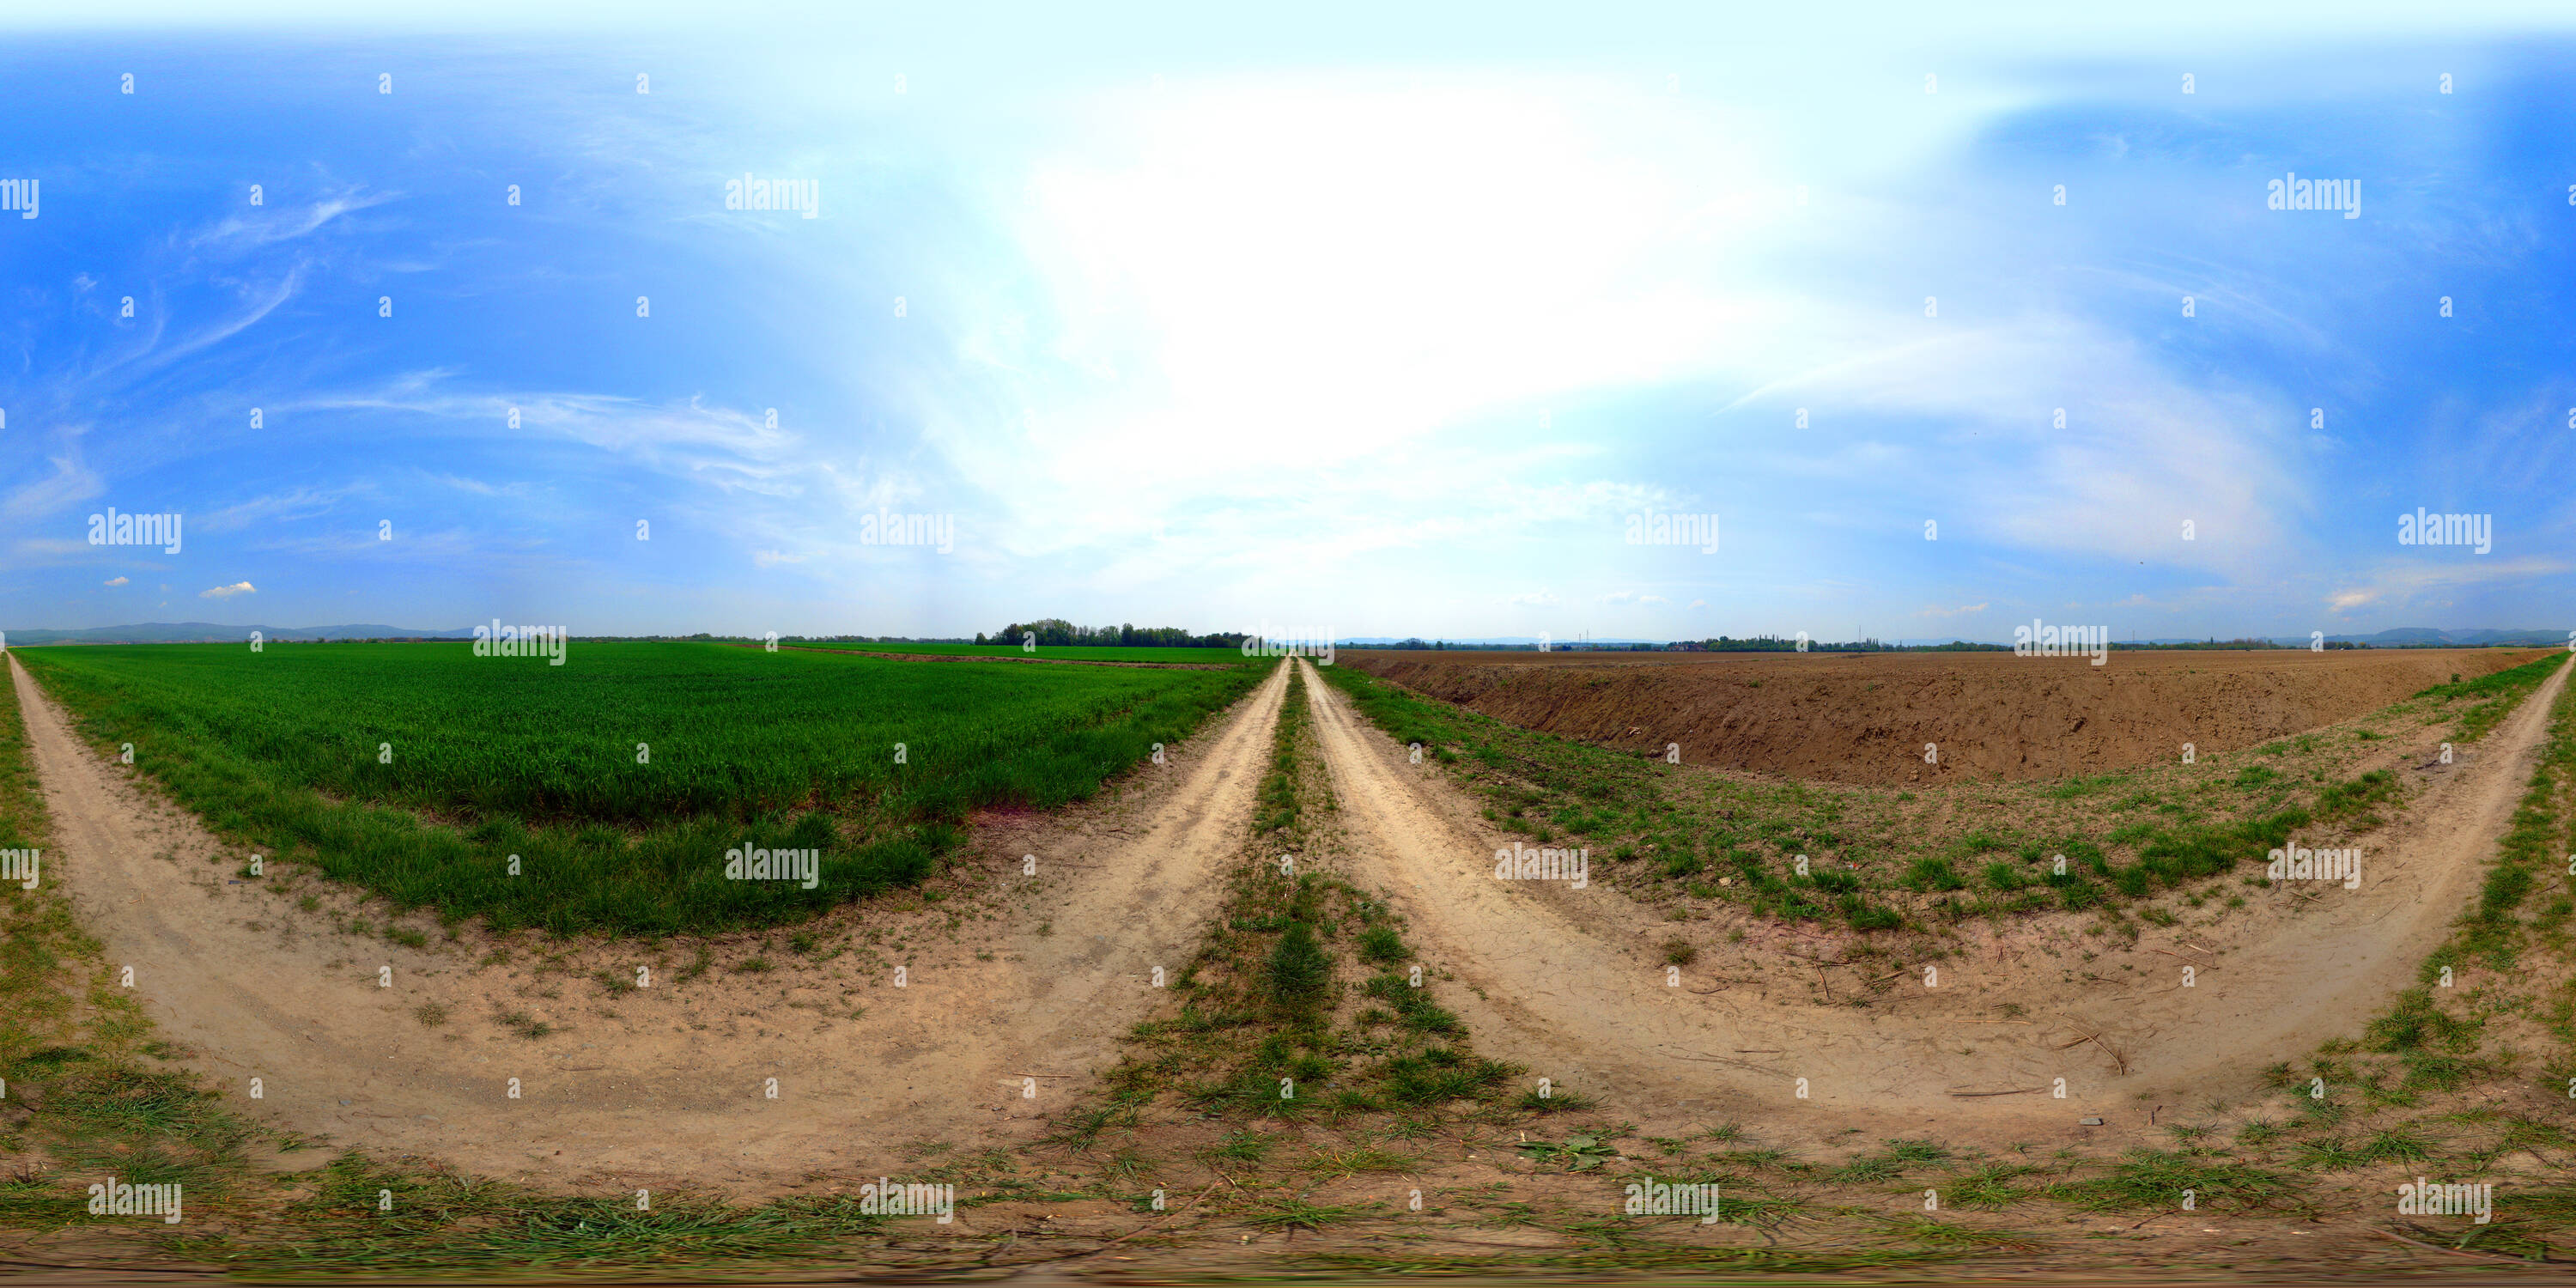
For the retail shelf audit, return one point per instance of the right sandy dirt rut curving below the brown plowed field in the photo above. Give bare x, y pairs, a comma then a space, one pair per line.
1570, 983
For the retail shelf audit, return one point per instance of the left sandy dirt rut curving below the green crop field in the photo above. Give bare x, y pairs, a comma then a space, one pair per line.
668, 1083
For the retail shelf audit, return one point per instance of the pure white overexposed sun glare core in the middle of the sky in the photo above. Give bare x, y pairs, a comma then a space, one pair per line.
1385, 256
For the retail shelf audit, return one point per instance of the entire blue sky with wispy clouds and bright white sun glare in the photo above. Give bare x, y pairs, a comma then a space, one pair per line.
1318, 321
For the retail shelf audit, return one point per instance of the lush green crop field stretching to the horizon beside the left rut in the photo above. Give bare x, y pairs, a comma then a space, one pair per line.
622, 777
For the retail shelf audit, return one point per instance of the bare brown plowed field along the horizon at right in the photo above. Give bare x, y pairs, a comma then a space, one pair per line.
1869, 717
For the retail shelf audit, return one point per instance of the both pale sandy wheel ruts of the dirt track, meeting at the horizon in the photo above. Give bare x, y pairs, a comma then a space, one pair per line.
668, 1088
